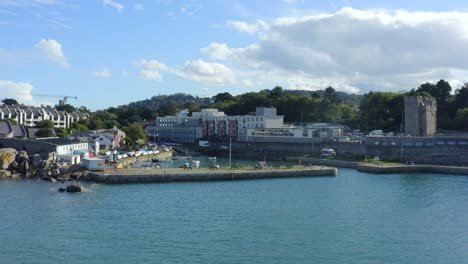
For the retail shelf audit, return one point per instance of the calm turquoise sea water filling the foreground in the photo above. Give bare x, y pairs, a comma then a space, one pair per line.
353, 218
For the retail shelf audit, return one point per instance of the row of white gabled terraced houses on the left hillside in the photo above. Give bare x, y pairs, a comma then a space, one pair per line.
30, 115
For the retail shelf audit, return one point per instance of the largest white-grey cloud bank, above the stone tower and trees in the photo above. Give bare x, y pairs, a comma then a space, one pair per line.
351, 49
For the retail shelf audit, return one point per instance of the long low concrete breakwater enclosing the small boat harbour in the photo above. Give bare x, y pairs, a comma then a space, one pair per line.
175, 175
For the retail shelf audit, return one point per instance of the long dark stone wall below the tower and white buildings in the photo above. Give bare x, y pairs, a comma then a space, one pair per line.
417, 151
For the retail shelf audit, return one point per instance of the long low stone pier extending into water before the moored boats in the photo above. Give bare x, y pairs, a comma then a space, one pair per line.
211, 176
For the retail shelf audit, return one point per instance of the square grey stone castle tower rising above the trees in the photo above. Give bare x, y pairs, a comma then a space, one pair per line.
420, 116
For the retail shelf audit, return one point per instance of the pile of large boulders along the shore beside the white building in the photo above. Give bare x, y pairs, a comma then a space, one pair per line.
21, 165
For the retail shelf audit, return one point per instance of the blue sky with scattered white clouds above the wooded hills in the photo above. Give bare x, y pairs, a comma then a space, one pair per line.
113, 52
